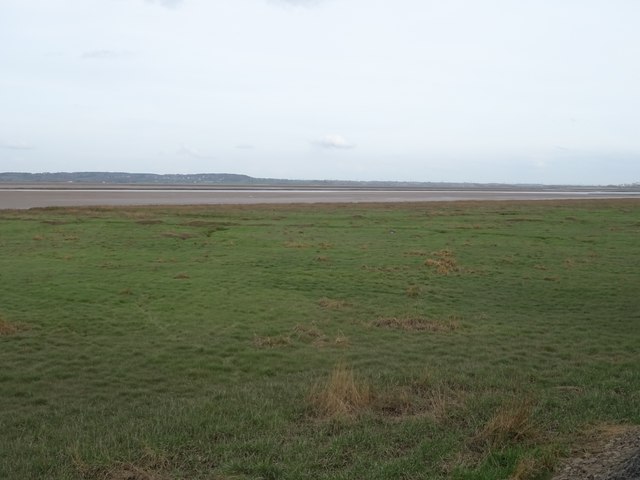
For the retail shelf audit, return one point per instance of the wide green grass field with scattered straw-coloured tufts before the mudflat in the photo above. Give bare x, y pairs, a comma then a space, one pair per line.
460, 340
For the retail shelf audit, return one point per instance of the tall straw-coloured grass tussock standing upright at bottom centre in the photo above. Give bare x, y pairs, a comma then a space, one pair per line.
341, 395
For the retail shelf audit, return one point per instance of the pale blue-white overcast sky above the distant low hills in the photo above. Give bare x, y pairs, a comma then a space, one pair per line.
546, 91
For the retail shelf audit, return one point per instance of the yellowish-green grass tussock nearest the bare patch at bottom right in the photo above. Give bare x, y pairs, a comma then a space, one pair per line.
512, 423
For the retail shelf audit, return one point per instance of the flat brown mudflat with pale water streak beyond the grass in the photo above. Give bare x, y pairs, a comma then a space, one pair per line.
28, 196
